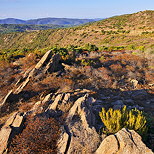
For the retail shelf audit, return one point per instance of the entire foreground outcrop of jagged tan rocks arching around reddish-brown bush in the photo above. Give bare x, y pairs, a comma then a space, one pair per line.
79, 133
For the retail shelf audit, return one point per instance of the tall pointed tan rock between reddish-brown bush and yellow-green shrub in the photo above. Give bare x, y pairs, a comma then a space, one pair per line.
80, 128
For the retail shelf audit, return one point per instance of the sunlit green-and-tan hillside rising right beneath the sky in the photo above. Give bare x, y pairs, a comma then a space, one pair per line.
127, 30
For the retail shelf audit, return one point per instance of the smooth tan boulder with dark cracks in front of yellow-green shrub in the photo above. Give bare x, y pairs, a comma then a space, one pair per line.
123, 142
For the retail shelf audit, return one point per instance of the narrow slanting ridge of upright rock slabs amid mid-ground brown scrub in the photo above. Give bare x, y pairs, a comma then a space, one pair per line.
48, 63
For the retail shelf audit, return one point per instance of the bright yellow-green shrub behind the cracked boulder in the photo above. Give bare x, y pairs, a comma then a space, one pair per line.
115, 120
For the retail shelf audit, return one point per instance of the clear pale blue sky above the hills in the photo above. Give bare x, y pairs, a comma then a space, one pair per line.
28, 9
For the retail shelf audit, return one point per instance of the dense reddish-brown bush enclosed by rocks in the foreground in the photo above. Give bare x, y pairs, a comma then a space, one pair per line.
39, 136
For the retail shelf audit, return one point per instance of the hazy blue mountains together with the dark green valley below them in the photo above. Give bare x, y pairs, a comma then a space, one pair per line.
16, 25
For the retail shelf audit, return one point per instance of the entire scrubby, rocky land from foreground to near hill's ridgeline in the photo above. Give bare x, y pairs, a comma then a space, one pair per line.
66, 90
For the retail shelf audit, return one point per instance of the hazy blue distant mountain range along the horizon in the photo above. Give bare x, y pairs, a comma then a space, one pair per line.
45, 21
